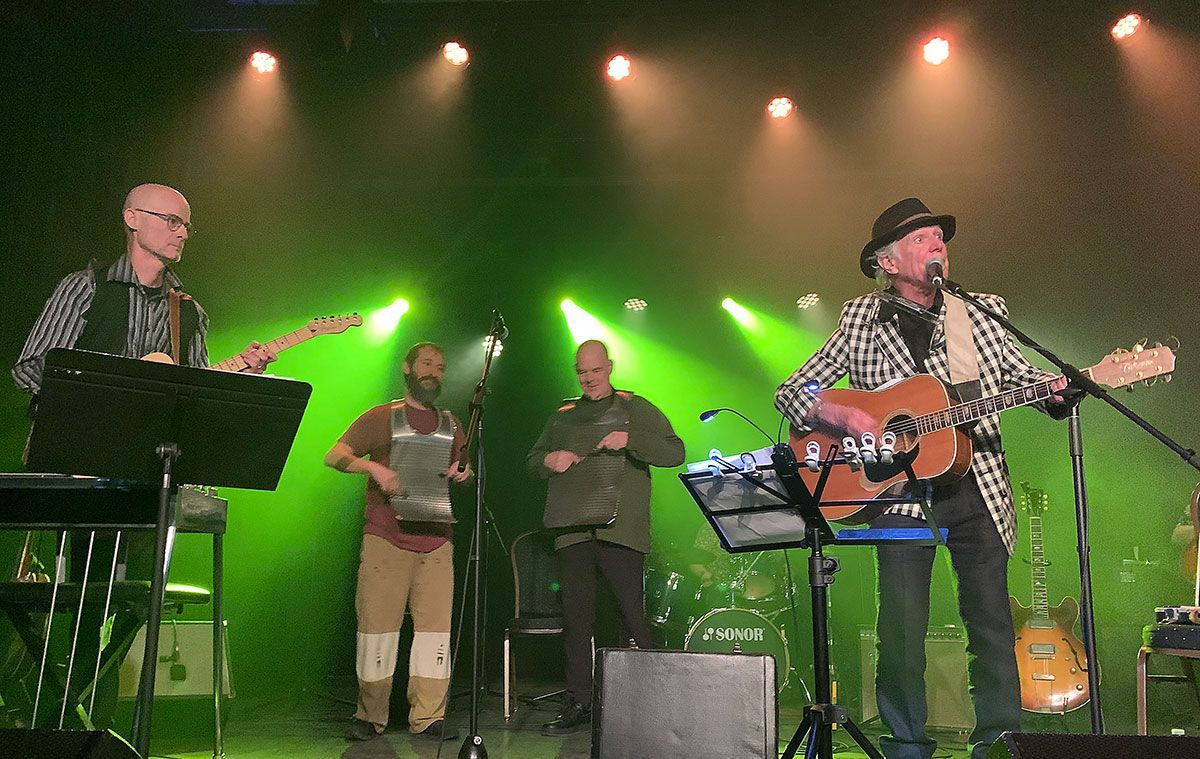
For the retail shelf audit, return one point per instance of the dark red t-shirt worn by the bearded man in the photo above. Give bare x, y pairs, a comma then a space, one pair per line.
371, 437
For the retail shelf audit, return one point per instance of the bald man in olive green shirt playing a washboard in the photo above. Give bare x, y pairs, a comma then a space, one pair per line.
645, 439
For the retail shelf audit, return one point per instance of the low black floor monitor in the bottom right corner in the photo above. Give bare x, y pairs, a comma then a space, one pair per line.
1067, 746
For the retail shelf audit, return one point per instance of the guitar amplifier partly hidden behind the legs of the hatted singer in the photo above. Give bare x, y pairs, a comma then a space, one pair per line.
946, 678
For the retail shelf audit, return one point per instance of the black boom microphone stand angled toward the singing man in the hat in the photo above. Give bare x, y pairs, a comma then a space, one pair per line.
1076, 446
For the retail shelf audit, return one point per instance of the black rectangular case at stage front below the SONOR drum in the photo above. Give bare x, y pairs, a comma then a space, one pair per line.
685, 706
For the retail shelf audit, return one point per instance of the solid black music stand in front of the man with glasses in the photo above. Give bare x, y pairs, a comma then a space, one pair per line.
125, 419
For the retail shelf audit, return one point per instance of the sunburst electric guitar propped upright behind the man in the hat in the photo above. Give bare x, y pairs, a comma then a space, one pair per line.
1051, 659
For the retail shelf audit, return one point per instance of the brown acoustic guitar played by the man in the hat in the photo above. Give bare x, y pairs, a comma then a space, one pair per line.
929, 428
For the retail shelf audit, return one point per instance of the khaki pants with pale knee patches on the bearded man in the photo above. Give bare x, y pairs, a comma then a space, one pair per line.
389, 579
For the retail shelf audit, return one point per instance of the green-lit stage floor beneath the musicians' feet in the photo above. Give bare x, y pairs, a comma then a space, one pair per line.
311, 726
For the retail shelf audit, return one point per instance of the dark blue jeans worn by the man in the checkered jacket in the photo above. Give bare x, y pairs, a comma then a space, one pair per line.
981, 564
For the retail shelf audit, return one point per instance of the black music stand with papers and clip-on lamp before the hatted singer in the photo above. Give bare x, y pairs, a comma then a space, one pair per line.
771, 509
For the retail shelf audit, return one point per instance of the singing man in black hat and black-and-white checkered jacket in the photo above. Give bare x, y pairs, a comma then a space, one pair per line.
909, 327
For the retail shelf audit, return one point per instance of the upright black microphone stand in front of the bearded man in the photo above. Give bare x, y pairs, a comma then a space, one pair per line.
473, 745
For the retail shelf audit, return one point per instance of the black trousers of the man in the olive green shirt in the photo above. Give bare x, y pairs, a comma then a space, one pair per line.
622, 569
